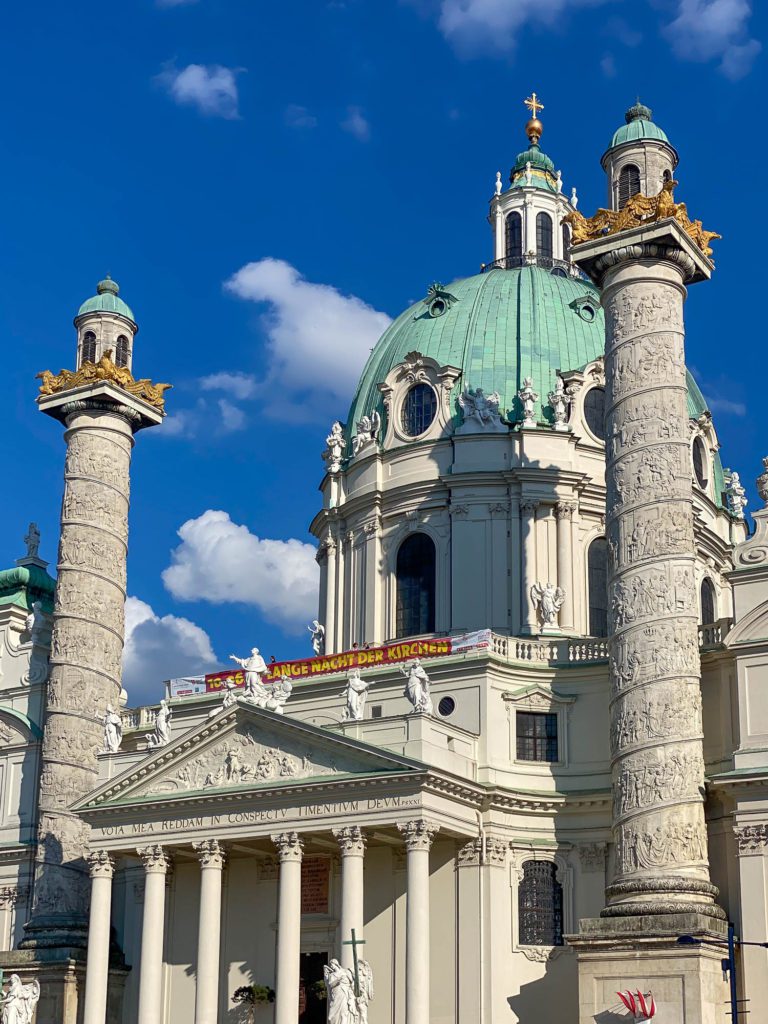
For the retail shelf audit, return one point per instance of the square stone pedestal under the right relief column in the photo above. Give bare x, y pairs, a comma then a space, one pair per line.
643, 953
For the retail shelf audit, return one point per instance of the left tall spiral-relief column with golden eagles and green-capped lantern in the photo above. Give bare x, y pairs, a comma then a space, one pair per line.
102, 407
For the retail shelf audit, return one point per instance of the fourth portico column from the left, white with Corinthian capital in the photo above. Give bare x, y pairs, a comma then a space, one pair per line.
290, 847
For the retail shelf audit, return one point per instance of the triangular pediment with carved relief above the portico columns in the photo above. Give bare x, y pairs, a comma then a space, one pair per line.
247, 749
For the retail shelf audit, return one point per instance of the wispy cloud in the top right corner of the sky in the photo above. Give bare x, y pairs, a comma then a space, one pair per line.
705, 30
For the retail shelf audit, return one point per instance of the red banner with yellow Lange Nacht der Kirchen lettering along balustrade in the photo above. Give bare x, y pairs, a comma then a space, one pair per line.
326, 664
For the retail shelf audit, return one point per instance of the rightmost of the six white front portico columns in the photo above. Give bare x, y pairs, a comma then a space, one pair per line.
418, 836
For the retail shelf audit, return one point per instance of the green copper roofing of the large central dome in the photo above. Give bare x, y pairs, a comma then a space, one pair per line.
502, 327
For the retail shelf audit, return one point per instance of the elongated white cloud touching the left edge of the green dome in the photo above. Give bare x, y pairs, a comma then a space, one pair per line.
318, 338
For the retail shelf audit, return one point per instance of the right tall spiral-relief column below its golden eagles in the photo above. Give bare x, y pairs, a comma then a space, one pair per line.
662, 881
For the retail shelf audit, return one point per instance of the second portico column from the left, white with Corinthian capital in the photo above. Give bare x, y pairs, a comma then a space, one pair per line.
156, 865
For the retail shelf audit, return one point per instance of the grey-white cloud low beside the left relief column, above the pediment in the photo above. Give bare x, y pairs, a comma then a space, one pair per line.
161, 648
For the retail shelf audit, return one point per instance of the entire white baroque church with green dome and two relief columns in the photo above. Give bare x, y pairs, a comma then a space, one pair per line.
500, 772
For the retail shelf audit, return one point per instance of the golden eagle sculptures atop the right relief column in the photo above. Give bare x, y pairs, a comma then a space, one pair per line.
637, 211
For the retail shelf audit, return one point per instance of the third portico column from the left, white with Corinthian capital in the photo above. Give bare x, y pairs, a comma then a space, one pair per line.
211, 858
